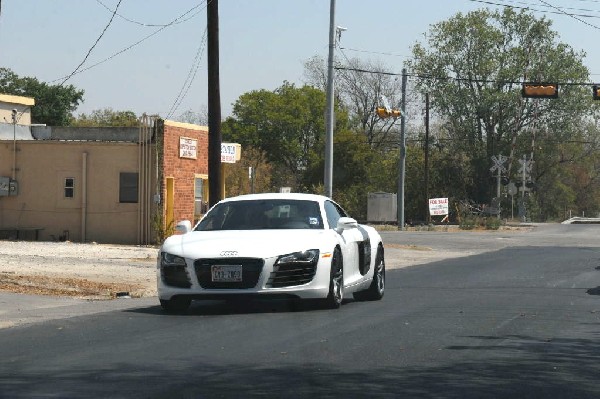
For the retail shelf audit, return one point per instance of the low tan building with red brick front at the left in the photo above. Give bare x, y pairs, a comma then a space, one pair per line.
107, 185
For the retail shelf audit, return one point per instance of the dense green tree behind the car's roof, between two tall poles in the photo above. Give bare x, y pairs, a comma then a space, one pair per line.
287, 125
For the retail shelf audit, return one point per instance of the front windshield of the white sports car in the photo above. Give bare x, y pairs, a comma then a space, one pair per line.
263, 214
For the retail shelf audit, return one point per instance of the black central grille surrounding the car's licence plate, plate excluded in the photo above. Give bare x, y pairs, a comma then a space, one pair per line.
251, 269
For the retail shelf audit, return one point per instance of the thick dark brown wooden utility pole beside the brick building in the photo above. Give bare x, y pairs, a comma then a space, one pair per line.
215, 181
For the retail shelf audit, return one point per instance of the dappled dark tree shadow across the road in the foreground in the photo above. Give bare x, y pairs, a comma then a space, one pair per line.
515, 367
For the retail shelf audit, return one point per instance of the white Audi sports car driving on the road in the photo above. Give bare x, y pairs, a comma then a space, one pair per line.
282, 245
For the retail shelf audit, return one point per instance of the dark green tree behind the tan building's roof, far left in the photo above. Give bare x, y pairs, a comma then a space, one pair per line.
54, 104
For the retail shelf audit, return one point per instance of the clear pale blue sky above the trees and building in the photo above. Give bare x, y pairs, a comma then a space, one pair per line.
262, 42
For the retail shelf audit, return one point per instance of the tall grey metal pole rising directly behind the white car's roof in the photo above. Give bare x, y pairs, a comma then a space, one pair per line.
329, 115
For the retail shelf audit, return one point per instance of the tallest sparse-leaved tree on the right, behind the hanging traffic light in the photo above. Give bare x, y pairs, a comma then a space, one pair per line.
473, 66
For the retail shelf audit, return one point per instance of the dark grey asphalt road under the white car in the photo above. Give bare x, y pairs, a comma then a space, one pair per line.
519, 319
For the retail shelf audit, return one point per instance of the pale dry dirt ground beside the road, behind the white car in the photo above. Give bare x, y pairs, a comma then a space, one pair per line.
99, 271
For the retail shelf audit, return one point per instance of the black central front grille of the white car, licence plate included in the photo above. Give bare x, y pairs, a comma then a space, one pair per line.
229, 277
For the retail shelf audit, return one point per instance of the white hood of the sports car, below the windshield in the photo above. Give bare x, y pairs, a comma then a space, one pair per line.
247, 243
